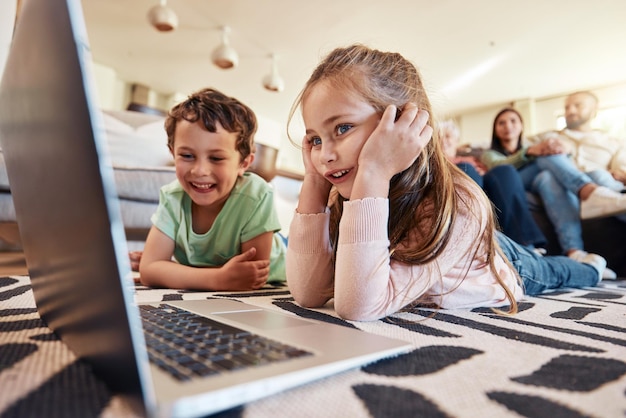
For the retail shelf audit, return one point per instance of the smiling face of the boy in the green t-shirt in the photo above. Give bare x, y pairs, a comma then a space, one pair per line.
207, 164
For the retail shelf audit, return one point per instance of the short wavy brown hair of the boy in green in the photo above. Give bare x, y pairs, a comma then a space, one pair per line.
211, 106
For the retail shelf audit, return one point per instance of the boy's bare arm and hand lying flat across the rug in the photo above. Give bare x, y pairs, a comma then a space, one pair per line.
156, 269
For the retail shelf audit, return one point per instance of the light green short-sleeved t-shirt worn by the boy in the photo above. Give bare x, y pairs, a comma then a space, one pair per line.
248, 212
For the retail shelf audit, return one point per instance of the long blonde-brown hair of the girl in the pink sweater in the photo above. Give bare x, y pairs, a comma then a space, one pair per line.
386, 78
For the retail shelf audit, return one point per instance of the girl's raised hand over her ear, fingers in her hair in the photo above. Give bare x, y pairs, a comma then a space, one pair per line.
394, 145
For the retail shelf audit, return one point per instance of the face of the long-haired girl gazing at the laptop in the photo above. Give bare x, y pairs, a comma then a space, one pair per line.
337, 125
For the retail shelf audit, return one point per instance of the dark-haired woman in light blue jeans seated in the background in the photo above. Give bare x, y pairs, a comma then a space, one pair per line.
545, 169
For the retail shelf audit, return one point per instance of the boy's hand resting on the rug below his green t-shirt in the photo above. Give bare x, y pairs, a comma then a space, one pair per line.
245, 273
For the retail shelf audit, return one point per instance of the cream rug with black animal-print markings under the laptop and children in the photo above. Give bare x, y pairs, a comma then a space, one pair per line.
563, 355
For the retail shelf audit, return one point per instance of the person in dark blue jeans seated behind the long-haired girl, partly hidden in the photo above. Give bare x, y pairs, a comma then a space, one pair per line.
502, 185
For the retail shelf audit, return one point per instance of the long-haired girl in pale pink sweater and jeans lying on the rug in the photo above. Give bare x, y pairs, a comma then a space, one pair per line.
383, 219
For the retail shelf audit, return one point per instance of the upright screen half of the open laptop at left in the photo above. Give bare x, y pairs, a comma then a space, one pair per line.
63, 191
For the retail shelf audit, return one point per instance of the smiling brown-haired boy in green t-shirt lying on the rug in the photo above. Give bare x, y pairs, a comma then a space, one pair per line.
217, 220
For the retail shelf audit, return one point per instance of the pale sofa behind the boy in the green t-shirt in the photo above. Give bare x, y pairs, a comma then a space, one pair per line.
142, 163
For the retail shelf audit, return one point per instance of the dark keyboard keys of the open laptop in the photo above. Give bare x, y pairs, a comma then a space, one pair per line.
188, 345
